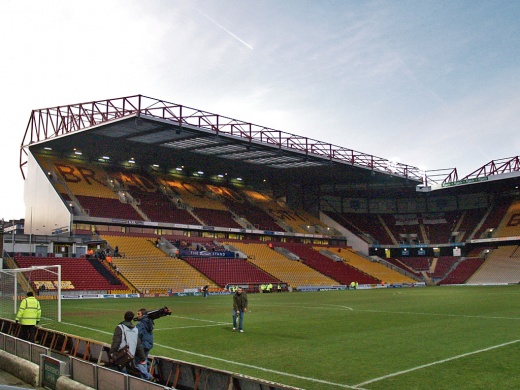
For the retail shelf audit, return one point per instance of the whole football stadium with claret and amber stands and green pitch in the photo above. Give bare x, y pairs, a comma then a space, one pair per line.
360, 272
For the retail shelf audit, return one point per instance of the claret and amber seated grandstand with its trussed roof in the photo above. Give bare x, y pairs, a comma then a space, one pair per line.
198, 197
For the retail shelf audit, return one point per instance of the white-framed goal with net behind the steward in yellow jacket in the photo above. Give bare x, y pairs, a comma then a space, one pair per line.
44, 281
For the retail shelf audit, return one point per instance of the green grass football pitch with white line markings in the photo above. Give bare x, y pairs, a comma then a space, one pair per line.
410, 338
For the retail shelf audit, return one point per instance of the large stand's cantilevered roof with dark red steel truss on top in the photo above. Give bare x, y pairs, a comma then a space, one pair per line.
151, 132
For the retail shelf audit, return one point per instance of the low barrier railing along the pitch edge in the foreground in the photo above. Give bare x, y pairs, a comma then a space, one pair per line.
89, 363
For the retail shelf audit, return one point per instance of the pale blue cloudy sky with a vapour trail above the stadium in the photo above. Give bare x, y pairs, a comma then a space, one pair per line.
432, 84
